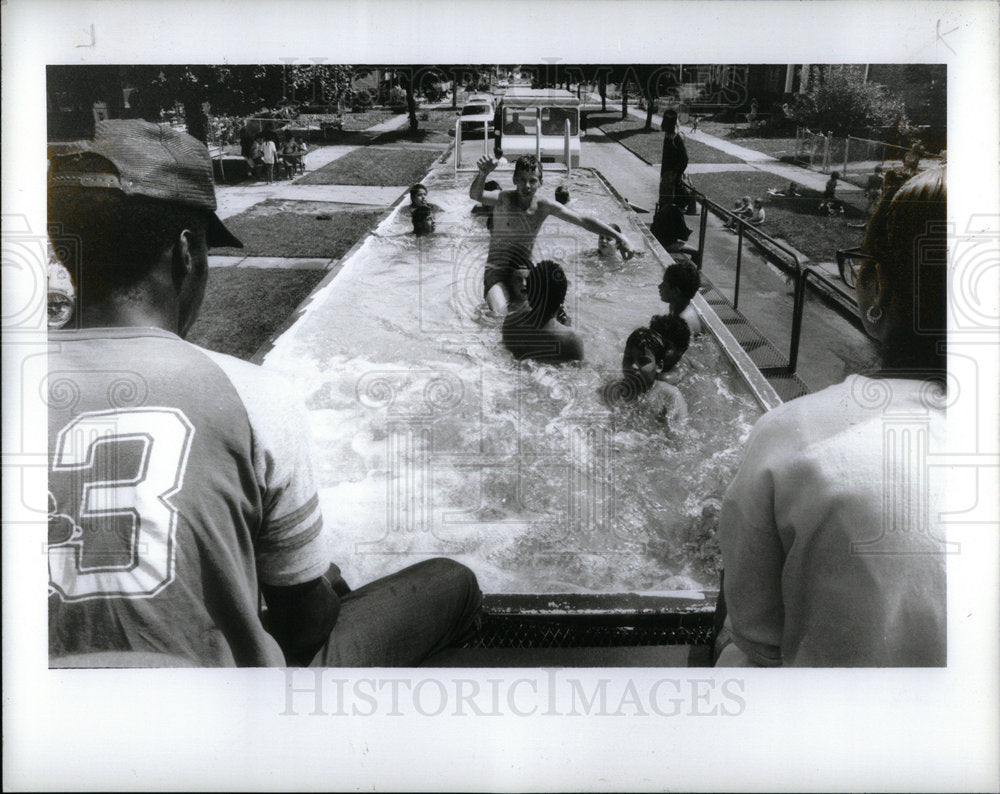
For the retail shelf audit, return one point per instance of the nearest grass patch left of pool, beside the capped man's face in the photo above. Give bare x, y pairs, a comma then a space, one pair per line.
245, 306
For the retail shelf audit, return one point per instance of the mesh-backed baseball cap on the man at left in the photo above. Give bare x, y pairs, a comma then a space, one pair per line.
140, 158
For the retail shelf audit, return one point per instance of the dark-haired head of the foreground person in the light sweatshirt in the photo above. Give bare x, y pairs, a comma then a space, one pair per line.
907, 235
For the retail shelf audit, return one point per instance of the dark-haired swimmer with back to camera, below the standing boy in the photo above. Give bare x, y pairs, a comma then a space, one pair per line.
531, 329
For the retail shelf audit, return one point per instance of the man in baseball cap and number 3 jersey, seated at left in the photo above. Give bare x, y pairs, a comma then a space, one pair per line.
180, 486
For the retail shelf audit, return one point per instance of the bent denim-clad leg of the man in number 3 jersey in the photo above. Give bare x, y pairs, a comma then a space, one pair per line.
403, 618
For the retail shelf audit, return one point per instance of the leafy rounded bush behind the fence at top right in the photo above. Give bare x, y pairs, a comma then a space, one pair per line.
840, 100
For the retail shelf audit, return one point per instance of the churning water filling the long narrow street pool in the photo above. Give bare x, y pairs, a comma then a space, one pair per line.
429, 439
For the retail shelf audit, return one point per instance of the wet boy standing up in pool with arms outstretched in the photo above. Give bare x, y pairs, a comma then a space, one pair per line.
517, 216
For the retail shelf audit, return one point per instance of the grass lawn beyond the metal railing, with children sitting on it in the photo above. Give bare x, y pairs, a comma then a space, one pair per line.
795, 220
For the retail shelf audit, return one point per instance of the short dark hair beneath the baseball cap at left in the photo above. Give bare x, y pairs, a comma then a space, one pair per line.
117, 238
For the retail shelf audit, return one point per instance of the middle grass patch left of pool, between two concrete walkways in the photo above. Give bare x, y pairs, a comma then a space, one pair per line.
283, 228
